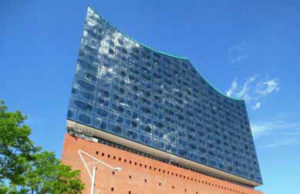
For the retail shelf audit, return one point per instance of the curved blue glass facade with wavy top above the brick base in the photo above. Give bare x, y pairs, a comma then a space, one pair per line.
125, 88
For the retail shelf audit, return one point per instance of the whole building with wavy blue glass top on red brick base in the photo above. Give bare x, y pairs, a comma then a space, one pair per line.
144, 121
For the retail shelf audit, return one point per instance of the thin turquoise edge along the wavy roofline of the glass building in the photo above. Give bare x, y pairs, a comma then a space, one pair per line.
163, 53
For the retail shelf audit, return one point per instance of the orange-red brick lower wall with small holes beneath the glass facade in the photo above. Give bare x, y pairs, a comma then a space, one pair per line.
140, 175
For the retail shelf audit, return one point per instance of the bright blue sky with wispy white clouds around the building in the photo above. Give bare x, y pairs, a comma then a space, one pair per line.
247, 49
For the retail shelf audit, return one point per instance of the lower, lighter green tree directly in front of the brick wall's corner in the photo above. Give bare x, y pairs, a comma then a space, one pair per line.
48, 175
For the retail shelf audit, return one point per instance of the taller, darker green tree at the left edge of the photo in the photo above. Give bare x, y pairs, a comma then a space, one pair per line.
16, 148
